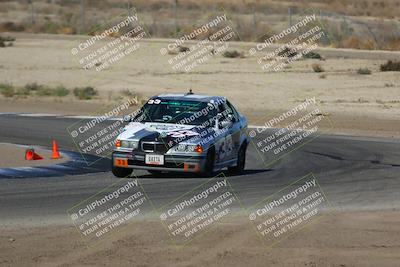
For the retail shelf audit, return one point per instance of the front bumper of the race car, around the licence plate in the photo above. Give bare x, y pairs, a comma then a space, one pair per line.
172, 163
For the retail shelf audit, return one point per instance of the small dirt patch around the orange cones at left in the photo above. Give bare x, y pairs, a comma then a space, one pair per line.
14, 156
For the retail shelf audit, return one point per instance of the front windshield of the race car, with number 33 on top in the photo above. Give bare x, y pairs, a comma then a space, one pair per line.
177, 111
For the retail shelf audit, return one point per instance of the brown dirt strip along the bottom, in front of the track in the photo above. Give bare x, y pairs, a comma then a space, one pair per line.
338, 239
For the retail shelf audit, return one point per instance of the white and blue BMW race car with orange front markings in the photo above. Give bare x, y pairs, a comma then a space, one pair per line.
182, 133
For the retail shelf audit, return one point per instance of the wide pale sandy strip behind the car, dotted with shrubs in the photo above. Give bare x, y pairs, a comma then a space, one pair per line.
356, 104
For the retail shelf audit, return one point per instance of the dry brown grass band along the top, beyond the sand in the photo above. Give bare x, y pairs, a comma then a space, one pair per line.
253, 20
